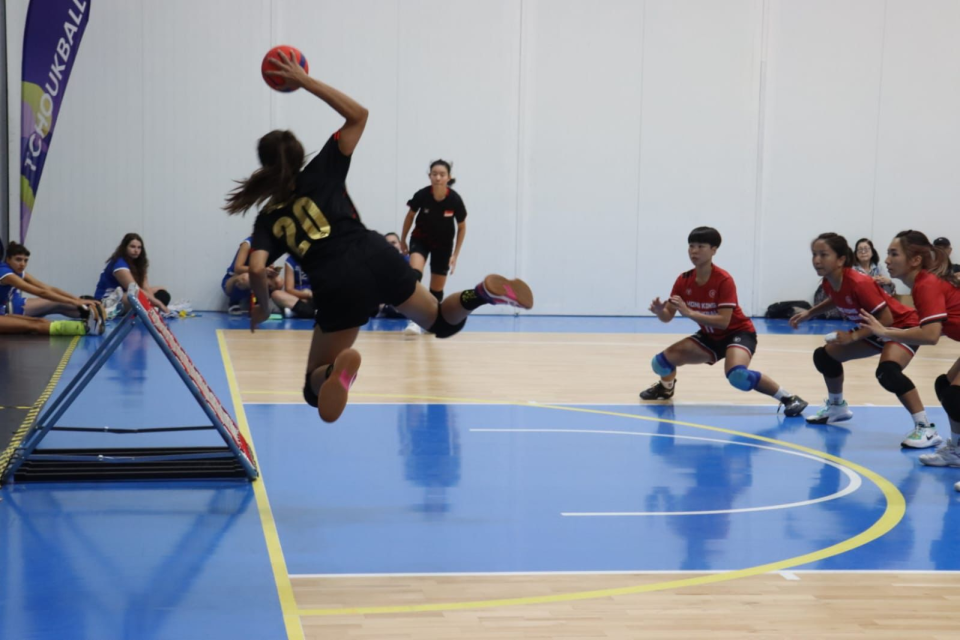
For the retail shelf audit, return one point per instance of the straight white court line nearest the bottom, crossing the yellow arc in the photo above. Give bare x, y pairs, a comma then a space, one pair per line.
639, 572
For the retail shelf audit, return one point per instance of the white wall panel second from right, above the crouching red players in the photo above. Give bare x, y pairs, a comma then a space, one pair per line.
821, 108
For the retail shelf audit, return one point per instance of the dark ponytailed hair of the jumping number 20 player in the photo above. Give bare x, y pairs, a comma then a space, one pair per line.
281, 158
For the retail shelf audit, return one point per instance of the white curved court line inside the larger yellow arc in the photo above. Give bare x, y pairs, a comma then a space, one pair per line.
854, 478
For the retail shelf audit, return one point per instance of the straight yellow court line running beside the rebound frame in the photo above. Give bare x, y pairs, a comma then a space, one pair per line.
288, 603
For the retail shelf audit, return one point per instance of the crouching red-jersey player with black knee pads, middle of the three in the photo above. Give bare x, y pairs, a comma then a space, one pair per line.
849, 291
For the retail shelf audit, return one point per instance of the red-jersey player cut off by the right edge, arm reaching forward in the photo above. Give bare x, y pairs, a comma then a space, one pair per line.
926, 270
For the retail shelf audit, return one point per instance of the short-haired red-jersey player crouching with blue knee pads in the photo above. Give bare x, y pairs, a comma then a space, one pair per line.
708, 296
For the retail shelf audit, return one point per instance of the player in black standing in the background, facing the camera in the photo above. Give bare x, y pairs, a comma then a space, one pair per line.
439, 212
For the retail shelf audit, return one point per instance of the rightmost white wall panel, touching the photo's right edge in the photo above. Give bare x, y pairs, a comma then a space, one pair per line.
918, 165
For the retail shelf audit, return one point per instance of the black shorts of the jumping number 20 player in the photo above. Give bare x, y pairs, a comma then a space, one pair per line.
350, 285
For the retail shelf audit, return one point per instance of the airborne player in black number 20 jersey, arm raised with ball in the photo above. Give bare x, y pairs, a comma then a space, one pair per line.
309, 214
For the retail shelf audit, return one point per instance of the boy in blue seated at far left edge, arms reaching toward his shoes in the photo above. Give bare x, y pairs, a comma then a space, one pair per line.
19, 315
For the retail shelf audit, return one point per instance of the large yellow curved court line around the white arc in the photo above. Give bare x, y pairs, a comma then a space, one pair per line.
894, 512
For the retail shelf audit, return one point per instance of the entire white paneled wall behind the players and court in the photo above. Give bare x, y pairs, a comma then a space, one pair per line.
588, 136
